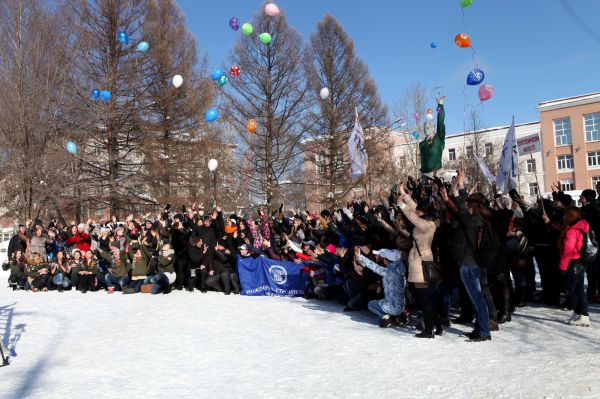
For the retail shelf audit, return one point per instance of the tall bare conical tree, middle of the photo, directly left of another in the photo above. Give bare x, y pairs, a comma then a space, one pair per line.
271, 90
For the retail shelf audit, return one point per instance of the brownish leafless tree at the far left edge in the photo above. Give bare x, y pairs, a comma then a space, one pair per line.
34, 75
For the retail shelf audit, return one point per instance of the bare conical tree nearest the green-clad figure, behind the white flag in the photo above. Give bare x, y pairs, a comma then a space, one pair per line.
333, 64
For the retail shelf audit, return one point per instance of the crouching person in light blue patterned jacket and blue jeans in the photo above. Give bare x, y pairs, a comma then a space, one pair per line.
391, 307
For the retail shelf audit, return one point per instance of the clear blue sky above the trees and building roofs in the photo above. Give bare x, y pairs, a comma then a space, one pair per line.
531, 50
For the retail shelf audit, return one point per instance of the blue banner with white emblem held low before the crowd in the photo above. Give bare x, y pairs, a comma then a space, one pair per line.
267, 277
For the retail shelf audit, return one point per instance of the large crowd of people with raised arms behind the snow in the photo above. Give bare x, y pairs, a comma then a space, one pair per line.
421, 244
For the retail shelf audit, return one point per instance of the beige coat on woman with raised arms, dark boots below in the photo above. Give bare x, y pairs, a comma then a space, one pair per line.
423, 235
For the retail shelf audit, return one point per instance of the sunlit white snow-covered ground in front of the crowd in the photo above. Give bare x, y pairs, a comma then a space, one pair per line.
68, 345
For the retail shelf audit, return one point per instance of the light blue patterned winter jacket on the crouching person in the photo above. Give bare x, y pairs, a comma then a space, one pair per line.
393, 284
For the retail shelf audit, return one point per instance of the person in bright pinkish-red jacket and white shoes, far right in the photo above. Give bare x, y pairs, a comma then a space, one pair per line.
571, 239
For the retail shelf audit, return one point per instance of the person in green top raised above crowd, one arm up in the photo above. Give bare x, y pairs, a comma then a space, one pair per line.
432, 146
